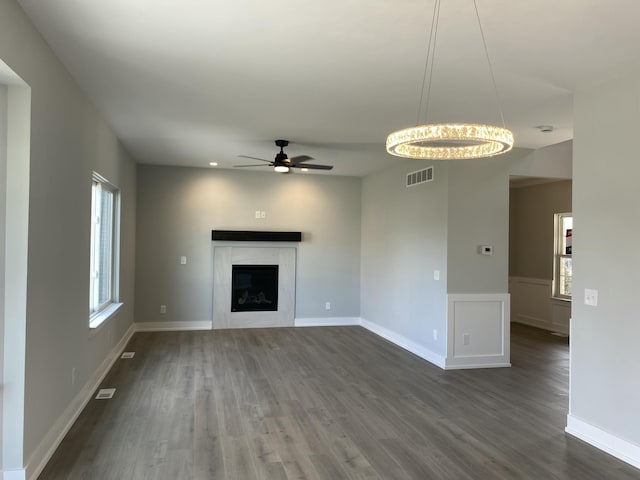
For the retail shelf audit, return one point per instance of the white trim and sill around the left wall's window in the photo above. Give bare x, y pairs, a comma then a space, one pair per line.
110, 309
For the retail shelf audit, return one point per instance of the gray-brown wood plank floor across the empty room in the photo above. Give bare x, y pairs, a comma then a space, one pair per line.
327, 403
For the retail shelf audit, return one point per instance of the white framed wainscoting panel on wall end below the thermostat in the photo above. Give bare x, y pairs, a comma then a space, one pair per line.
478, 331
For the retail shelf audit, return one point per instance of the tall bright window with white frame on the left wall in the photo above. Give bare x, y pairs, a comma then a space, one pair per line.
105, 243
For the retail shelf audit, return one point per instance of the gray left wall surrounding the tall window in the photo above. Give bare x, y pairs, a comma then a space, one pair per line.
68, 141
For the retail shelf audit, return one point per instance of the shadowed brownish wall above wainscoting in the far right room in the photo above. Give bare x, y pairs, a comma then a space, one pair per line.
531, 210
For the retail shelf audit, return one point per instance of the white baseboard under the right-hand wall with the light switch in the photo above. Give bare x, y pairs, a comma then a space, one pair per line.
619, 448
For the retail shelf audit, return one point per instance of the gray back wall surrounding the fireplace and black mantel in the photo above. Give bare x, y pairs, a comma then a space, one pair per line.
178, 208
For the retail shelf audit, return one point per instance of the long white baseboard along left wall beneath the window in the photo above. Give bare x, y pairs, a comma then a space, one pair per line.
61, 427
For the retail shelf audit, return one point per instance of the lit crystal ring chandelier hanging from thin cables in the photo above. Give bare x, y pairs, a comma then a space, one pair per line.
455, 141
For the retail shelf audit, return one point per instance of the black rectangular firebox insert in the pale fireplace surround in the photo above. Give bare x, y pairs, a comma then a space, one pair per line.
254, 288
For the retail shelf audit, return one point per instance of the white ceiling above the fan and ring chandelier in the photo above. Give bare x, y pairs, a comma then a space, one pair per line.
188, 82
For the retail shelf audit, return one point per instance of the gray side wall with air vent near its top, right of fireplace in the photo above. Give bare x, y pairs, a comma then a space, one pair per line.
404, 239
